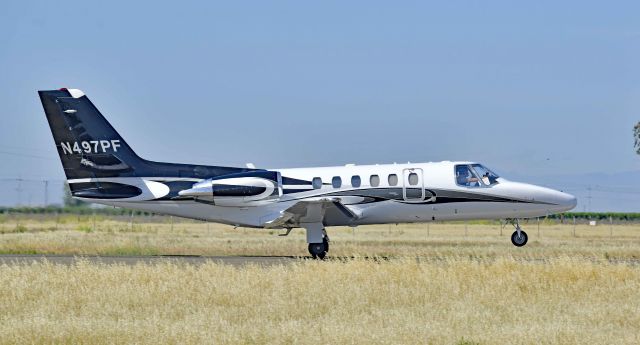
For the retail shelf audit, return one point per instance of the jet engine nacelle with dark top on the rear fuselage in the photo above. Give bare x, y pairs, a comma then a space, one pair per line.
251, 188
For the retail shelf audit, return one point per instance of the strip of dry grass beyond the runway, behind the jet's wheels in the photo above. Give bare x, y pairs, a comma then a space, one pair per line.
165, 236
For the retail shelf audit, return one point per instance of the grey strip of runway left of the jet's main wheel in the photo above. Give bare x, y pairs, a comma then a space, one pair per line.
133, 260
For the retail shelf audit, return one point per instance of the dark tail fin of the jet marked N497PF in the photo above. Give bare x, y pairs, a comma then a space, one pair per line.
89, 147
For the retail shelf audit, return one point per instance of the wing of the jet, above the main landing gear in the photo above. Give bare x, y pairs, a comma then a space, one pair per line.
308, 211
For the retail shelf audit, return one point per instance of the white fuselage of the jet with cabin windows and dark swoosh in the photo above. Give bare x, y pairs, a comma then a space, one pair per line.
434, 196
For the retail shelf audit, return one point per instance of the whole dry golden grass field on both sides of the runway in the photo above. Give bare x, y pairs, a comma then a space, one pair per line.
406, 284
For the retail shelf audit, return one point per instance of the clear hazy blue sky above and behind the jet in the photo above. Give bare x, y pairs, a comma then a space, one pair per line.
533, 90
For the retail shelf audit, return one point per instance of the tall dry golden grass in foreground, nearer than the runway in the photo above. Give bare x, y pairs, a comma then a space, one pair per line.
401, 301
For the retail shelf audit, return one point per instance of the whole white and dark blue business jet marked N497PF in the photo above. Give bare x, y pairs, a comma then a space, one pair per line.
101, 168
